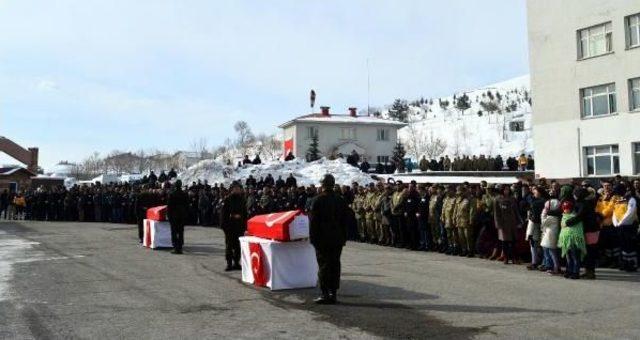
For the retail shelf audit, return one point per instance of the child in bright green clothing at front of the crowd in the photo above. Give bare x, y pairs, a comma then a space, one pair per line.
571, 241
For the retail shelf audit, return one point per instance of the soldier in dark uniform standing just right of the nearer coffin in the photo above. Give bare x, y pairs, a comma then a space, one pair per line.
330, 217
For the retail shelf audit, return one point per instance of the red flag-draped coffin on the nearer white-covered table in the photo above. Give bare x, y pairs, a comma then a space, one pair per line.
283, 226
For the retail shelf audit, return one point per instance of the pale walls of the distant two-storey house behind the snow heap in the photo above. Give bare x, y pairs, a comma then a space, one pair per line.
330, 136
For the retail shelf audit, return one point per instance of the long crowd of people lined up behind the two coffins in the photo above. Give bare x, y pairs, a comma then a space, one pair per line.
511, 223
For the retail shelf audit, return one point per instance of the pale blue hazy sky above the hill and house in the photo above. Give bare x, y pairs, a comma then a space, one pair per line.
78, 76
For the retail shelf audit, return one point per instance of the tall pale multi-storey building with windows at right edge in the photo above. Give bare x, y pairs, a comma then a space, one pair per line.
585, 85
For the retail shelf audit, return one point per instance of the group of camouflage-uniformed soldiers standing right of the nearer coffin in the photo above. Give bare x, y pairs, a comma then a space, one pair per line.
418, 217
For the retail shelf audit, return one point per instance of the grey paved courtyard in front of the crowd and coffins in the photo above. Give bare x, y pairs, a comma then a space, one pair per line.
90, 280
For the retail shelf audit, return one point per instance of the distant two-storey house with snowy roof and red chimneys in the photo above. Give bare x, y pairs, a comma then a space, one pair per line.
372, 138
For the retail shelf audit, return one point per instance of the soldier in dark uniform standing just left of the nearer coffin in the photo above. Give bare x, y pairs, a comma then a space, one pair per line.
233, 221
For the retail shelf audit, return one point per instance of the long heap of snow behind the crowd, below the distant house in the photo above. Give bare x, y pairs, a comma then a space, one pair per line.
306, 173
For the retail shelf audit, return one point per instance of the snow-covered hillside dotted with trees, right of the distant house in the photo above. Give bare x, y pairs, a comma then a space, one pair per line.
489, 126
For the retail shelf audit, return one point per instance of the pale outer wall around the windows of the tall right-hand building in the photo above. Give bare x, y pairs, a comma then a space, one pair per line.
557, 77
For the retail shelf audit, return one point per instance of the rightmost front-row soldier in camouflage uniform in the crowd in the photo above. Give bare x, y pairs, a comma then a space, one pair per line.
463, 220
